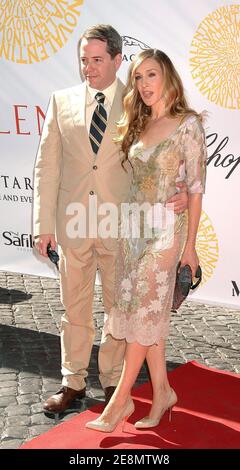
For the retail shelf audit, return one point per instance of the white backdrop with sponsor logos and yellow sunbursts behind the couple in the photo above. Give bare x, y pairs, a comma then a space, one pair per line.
38, 42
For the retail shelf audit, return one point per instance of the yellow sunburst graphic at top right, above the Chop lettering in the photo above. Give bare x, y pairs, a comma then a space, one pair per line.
215, 57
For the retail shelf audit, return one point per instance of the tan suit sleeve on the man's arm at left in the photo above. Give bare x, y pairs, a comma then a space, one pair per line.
47, 173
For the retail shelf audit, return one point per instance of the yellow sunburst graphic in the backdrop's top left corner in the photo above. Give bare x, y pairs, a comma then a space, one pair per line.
31, 31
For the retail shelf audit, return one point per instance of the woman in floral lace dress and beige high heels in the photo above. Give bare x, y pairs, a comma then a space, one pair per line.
164, 141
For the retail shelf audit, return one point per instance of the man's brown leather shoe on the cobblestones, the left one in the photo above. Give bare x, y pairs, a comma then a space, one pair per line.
62, 399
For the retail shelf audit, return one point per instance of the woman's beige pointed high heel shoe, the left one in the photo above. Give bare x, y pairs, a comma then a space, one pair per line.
100, 425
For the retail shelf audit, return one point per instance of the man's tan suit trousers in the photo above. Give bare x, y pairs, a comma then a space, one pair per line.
77, 274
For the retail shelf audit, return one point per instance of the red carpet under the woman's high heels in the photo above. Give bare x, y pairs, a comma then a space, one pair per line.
206, 416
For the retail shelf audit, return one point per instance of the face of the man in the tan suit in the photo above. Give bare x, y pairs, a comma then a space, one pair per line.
97, 66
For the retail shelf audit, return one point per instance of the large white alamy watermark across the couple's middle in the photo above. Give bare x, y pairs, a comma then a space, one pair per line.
126, 220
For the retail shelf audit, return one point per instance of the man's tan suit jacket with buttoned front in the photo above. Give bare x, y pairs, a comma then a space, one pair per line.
64, 170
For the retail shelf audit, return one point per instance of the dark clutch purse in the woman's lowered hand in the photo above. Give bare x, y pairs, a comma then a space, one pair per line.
184, 283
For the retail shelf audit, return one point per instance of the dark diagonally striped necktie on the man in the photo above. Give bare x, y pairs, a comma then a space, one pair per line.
98, 123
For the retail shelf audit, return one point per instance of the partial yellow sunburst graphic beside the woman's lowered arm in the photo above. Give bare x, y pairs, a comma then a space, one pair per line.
207, 247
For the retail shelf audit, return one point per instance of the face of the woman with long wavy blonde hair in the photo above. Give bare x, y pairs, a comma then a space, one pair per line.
149, 81
